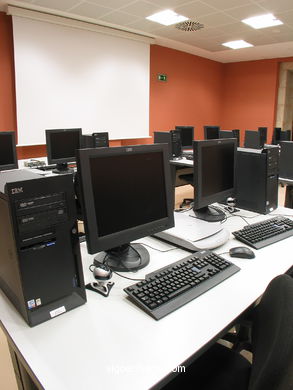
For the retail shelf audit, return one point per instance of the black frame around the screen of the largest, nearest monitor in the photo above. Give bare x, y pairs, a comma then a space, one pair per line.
96, 243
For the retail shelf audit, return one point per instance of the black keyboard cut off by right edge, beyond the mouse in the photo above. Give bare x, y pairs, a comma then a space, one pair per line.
260, 234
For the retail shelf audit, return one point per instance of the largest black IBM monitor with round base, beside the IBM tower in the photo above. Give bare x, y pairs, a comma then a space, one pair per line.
126, 195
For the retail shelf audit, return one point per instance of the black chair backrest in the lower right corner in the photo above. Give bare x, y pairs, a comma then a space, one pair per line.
272, 338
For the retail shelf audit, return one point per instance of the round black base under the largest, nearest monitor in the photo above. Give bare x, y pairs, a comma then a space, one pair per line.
124, 258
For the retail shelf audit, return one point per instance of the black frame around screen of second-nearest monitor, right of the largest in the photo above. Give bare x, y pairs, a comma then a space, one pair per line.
199, 200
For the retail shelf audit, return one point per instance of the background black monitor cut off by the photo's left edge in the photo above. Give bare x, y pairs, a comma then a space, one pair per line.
8, 157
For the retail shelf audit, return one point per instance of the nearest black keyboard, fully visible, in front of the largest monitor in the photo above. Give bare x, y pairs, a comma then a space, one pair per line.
173, 286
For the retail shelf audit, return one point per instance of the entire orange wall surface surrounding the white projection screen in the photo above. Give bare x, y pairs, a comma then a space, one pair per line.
198, 92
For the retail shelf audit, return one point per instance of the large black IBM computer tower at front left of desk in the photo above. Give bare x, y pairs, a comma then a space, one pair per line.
40, 261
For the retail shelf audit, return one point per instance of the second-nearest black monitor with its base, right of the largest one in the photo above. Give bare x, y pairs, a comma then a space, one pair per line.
214, 176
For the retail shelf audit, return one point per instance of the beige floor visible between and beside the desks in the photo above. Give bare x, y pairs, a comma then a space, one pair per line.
7, 378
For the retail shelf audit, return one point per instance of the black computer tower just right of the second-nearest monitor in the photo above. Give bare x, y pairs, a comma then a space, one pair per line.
257, 179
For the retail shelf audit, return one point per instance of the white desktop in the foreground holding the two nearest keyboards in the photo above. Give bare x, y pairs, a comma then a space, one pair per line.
110, 343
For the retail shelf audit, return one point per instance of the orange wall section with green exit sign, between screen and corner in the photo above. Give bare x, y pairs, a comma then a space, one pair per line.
192, 94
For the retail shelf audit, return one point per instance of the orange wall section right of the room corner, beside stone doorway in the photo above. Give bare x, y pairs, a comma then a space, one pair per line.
250, 94
